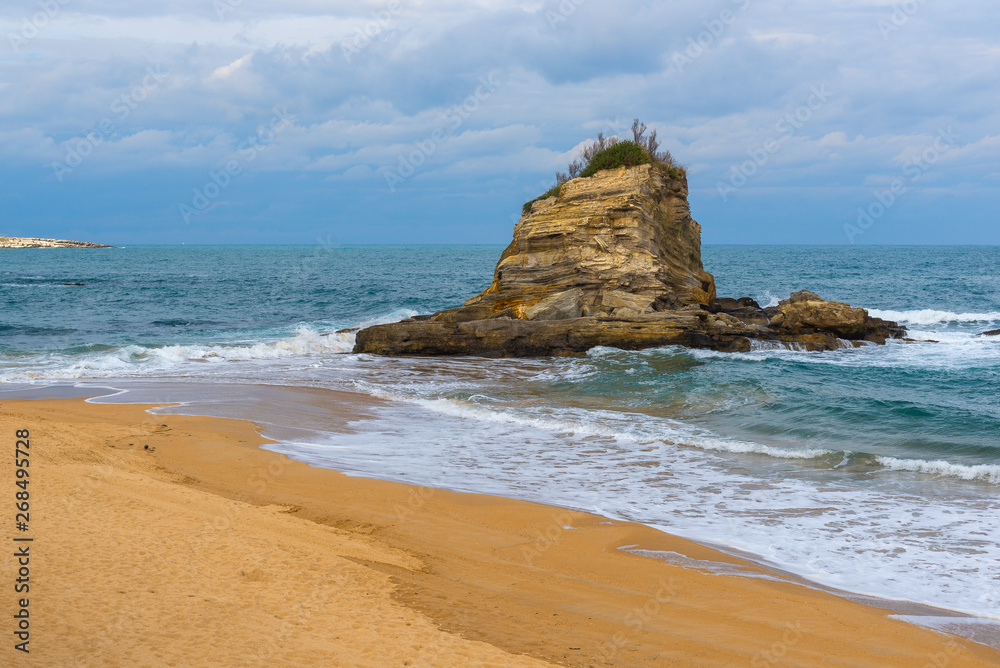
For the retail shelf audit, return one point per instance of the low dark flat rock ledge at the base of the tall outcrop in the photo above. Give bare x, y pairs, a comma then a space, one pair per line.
814, 326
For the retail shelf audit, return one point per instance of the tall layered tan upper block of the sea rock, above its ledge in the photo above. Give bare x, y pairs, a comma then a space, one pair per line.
620, 242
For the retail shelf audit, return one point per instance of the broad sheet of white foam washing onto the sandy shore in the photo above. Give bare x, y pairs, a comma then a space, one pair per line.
846, 534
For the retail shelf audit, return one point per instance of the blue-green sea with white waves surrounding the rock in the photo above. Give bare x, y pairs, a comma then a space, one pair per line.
872, 471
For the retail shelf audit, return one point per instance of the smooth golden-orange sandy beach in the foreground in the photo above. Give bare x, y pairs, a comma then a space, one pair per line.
204, 549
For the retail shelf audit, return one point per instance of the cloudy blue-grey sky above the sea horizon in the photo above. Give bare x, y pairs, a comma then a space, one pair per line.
432, 121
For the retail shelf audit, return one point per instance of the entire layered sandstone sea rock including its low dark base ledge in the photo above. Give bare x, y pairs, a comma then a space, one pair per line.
615, 260
